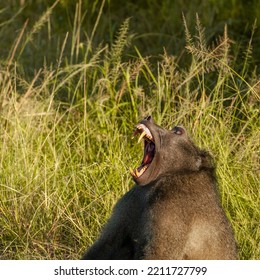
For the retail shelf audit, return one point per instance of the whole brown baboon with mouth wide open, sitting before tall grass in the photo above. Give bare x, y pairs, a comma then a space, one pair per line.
173, 211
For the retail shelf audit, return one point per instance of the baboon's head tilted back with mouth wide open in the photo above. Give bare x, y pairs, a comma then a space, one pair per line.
166, 152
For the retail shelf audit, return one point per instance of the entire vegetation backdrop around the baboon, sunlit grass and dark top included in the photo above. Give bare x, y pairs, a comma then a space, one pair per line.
76, 76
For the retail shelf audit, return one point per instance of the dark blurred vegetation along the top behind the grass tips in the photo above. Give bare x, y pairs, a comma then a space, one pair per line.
154, 26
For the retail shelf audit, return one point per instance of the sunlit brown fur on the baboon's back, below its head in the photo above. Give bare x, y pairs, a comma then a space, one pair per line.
201, 229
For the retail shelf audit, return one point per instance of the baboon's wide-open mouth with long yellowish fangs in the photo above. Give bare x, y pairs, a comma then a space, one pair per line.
149, 149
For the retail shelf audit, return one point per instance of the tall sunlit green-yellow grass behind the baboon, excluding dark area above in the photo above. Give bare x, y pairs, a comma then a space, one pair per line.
65, 137
